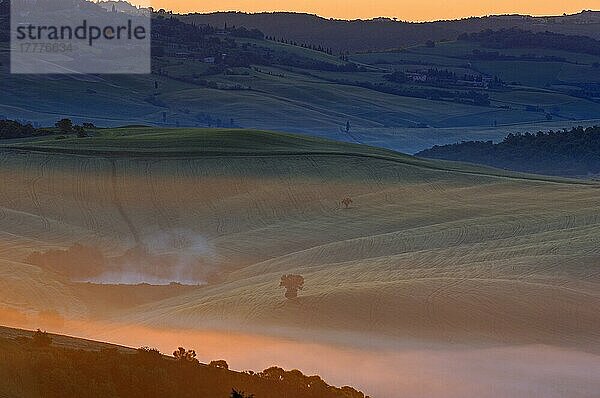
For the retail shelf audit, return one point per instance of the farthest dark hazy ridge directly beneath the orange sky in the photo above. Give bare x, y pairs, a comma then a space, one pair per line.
384, 33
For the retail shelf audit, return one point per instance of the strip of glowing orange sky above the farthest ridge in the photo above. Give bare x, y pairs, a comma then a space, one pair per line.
410, 10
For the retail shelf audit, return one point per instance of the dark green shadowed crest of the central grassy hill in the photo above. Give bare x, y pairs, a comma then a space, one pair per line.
196, 142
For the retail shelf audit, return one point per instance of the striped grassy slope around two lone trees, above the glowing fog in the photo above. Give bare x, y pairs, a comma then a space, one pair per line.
432, 249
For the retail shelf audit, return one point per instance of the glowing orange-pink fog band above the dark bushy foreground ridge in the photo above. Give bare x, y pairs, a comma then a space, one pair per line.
392, 368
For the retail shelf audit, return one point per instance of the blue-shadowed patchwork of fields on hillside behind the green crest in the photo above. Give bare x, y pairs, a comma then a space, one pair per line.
319, 102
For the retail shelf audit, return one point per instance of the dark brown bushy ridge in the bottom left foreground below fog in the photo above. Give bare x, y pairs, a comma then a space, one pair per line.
37, 364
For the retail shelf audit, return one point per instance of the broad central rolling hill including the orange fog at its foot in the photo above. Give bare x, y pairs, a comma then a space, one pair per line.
471, 262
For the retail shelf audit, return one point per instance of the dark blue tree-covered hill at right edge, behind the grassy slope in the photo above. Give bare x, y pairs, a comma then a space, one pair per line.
565, 153
